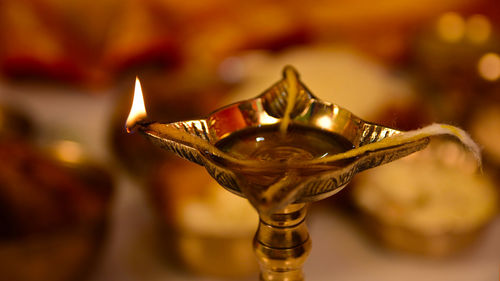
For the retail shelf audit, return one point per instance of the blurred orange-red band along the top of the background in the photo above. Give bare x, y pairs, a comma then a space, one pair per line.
94, 44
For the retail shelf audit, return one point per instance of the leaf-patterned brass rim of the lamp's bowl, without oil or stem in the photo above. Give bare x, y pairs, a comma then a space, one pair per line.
195, 140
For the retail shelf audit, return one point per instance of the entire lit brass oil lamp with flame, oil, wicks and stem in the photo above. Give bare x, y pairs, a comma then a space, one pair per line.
283, 150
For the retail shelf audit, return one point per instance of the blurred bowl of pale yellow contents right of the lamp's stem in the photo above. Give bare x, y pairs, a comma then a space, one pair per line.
438, 212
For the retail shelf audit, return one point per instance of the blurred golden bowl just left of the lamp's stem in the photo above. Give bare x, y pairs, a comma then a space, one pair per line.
206, 230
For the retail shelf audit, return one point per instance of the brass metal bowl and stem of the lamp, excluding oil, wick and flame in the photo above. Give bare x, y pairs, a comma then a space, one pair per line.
282, 242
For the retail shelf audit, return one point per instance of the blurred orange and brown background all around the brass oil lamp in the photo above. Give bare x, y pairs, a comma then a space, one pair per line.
82, 200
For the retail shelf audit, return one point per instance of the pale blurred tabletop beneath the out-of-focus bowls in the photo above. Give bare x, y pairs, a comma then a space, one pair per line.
339, 251
